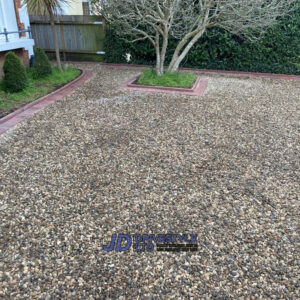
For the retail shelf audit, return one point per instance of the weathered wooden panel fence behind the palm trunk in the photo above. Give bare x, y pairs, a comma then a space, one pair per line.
80, 37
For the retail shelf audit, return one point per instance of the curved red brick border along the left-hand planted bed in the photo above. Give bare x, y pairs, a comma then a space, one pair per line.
31, 108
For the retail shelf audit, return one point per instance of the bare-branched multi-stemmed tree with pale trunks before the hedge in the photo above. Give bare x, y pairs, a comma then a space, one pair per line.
187, 21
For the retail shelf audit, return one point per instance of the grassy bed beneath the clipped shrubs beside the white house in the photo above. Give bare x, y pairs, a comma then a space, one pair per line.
37, 88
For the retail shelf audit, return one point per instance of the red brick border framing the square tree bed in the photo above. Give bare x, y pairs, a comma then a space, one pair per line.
198, 88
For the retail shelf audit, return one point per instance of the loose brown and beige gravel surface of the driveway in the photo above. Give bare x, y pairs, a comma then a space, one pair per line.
224, 166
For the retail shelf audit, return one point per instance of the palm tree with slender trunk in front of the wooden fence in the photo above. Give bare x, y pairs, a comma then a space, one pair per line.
49, 8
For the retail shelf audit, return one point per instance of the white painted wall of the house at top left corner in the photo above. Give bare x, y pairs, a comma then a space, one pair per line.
8, 21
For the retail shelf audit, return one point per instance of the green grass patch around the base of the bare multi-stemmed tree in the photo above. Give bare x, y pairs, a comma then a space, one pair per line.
183, 80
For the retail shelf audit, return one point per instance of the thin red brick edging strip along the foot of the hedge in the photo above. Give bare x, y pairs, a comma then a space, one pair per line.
220, 72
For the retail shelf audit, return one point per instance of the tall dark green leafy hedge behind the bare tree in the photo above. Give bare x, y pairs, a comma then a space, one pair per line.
277, 52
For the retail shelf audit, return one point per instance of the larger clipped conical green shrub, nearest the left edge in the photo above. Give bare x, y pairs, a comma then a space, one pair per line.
15, 76
